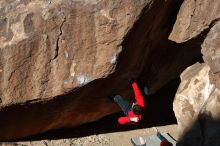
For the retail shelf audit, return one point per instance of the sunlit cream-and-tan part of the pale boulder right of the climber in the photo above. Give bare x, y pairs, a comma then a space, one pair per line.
191, 95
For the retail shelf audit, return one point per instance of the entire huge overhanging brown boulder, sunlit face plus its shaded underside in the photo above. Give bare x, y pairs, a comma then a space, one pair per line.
60, 59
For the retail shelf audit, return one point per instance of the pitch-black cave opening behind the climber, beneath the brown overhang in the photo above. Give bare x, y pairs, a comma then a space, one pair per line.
159, 112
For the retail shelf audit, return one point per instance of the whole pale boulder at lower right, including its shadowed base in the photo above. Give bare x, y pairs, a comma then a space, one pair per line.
196, 107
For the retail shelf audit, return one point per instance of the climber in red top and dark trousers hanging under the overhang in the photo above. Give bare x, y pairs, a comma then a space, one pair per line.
134, 112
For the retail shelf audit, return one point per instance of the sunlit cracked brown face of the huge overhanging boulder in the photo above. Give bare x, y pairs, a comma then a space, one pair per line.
49, 48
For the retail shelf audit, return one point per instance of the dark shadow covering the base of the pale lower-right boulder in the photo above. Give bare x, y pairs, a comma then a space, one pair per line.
204, 132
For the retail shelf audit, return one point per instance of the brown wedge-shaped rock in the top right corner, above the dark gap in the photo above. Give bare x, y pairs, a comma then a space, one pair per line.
193, 18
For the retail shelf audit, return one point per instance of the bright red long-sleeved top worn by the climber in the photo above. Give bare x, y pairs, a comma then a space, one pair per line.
139, 101
